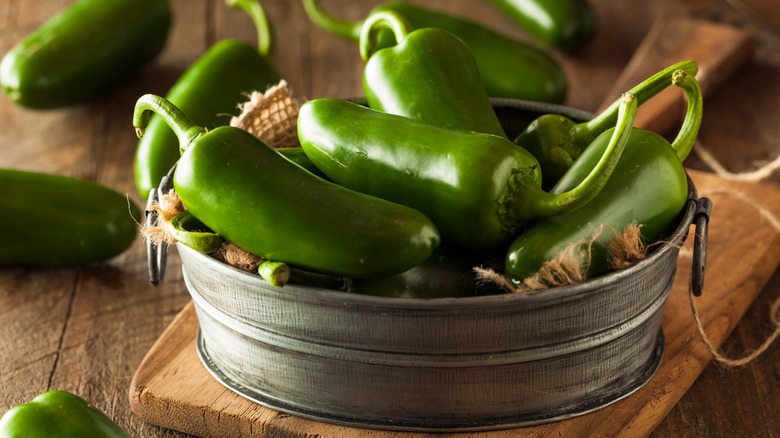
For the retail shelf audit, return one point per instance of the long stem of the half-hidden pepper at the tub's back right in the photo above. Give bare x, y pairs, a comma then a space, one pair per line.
587, 131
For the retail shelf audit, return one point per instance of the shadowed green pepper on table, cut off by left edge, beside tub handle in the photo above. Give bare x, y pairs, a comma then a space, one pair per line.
56, 220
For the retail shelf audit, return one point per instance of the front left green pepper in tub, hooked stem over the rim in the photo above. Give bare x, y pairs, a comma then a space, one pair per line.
255, 198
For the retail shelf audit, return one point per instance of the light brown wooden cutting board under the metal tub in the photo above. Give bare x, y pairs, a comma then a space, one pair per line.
171, 388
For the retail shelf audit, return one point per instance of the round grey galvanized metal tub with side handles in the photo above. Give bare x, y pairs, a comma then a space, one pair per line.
442, 364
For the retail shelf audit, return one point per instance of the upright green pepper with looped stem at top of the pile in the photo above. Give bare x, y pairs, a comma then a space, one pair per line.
429, 75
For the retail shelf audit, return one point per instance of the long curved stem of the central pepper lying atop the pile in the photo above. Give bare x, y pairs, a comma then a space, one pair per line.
536, 202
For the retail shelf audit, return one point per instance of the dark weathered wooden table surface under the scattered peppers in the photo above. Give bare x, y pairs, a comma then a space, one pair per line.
86, 329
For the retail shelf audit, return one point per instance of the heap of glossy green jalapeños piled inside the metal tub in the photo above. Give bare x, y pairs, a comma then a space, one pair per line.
377, 188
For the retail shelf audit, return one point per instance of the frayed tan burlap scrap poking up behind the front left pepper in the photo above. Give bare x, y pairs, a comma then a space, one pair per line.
271, 116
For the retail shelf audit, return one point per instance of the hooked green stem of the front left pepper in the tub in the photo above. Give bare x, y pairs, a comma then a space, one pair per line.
185, 129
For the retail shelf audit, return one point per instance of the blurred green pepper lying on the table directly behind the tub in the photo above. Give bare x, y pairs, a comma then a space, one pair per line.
508, 67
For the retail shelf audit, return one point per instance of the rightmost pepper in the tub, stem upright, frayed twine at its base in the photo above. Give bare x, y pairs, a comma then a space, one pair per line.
648, 186
